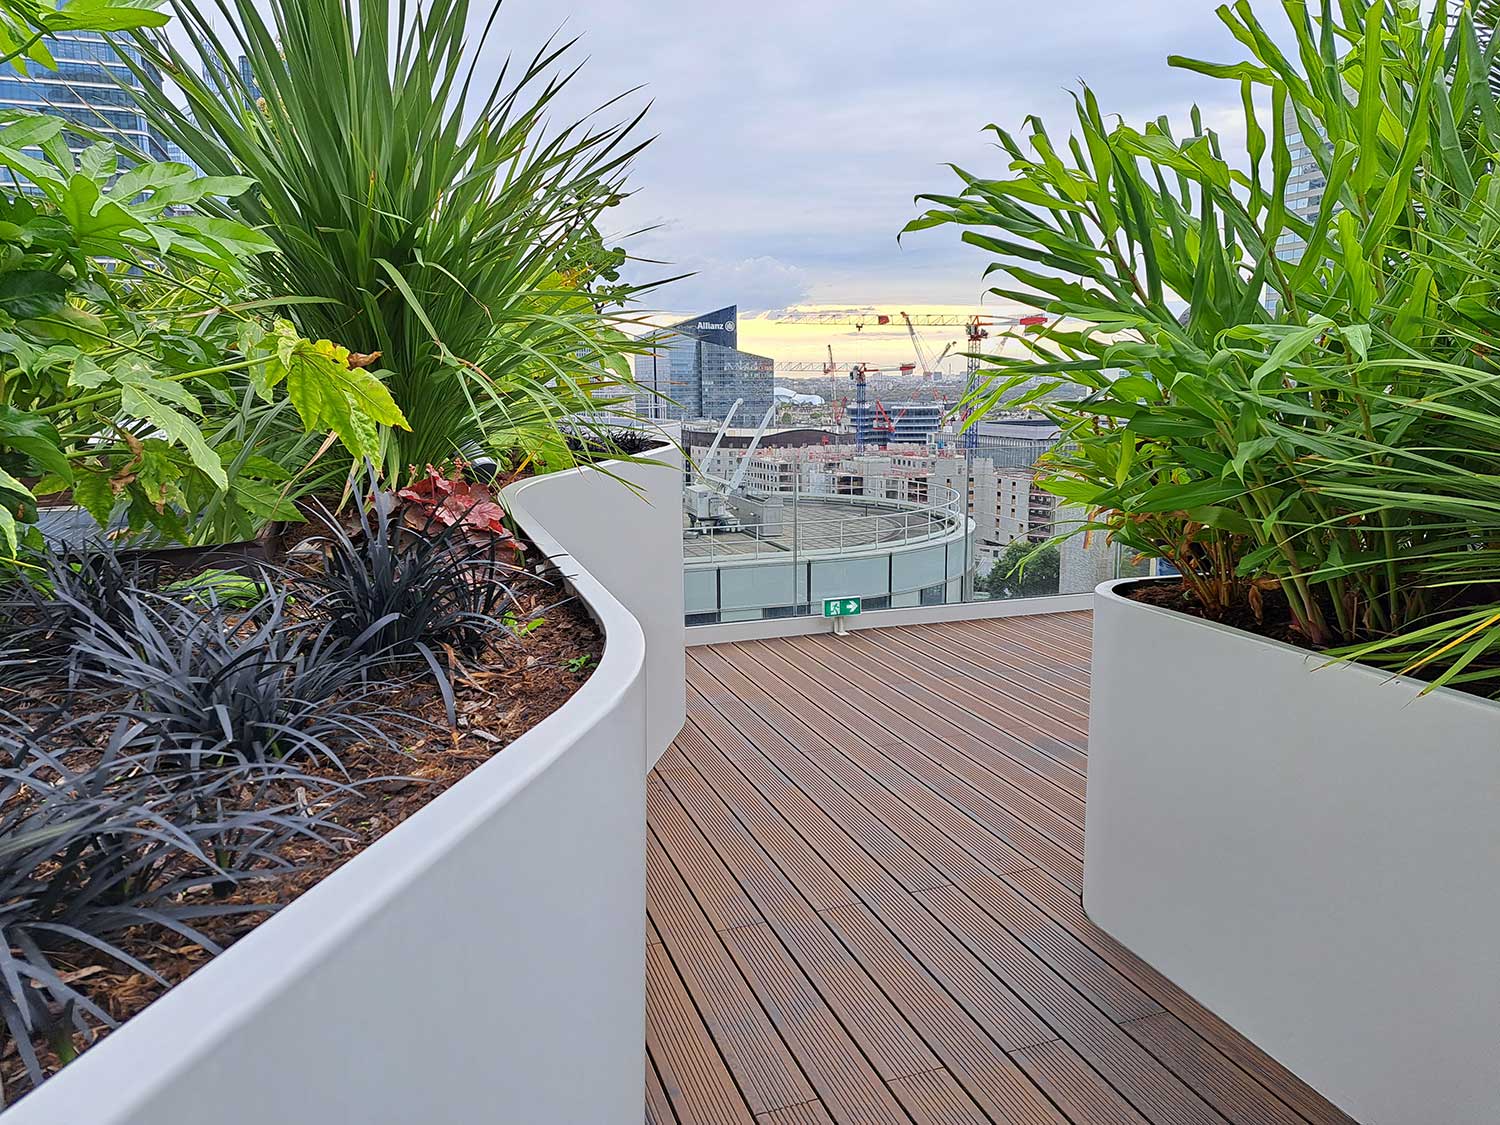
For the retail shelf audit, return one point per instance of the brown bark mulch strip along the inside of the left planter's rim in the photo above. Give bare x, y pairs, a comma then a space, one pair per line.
521, 683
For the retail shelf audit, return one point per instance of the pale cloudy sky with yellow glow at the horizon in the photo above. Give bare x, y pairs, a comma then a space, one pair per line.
793, 136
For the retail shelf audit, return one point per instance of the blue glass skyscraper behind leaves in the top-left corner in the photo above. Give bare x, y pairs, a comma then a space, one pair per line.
91, 89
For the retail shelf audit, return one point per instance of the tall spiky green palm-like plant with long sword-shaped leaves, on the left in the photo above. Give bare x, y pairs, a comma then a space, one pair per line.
446, 227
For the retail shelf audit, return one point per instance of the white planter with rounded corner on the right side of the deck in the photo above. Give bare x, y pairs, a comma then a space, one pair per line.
1309, 850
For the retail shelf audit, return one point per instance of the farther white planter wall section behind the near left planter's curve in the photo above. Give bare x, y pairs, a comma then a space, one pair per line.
631, 539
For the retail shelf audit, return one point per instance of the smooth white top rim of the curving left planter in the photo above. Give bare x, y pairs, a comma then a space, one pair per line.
190, 1021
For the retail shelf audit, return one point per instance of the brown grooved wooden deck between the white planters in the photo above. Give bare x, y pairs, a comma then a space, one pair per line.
865, 874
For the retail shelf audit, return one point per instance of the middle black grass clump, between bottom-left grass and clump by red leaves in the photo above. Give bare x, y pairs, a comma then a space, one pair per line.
200, 686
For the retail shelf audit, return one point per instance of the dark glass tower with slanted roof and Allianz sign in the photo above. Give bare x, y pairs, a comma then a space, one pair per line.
697, 371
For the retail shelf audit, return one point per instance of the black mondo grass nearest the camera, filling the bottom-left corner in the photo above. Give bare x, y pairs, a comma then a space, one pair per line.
95, 844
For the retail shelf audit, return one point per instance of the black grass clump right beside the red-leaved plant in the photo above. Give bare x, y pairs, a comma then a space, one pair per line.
394, 595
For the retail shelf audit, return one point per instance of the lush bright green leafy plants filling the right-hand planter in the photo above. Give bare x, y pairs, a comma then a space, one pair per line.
1319, 430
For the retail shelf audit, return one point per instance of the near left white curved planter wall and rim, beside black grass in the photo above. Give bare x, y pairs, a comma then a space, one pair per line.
479, 964
